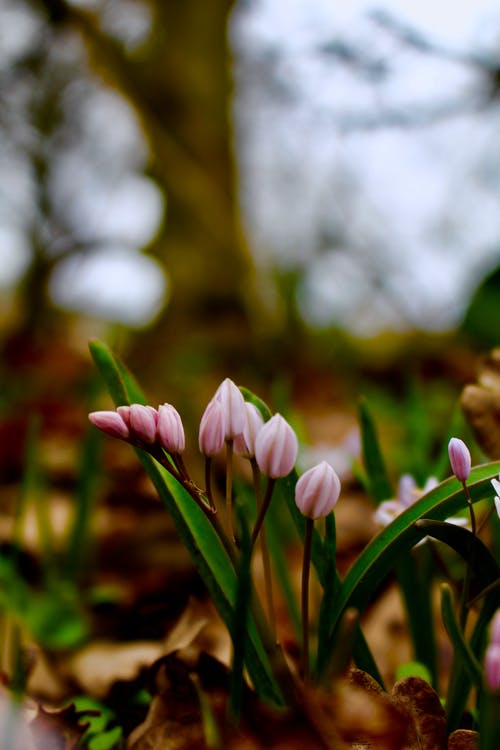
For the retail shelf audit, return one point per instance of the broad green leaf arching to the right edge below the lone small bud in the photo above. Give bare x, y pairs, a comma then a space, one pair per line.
381, 554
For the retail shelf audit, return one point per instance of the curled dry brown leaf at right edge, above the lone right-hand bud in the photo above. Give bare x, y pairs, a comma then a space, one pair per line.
481, 405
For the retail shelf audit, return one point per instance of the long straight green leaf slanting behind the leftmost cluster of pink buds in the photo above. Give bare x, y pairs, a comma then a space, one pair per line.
196, 532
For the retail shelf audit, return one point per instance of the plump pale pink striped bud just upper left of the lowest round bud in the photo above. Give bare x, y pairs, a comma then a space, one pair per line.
276, 447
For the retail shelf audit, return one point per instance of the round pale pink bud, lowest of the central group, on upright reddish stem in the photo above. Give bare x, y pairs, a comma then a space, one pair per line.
317, 491
